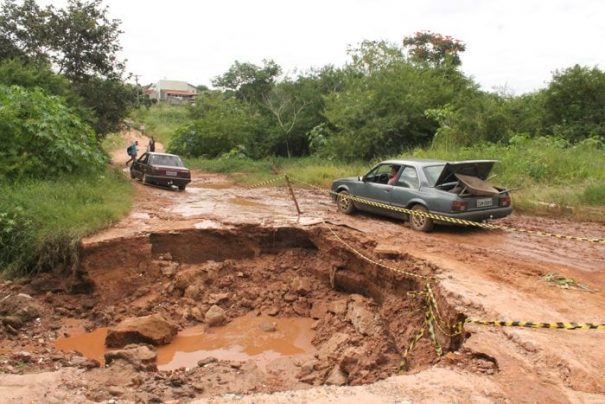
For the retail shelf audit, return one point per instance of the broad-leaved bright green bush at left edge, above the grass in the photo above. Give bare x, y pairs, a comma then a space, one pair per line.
41, 137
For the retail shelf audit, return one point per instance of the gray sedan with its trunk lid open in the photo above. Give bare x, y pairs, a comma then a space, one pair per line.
453, 189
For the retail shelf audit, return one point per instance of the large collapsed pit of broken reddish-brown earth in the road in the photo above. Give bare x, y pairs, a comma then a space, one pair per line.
363, 316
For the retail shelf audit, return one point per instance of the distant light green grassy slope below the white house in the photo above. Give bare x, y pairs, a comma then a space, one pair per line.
161, 120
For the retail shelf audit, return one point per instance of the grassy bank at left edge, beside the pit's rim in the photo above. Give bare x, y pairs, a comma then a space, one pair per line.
43, 221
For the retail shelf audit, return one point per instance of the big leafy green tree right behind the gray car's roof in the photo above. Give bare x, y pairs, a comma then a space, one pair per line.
381, 111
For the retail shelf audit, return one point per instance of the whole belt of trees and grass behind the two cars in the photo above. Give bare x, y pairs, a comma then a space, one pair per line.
398, 100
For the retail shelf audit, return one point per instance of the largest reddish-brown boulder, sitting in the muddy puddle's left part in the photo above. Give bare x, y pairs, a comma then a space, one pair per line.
153, 329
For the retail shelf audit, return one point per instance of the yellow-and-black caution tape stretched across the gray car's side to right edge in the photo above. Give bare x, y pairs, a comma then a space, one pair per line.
466, 222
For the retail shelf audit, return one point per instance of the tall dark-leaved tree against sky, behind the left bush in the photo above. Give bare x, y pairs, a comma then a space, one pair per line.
80, 42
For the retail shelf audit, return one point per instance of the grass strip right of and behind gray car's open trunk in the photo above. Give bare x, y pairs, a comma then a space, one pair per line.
548, 176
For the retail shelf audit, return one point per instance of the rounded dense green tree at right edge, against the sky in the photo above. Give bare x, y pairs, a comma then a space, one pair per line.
574, 103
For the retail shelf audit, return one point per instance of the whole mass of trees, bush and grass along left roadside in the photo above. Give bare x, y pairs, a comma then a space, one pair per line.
55, 184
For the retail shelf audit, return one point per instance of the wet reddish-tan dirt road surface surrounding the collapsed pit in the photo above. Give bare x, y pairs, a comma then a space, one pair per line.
483, 274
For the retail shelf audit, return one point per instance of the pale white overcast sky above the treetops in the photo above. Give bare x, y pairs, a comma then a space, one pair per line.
515, 44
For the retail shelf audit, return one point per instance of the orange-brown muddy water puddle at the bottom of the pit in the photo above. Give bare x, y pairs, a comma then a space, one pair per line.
258, 338
